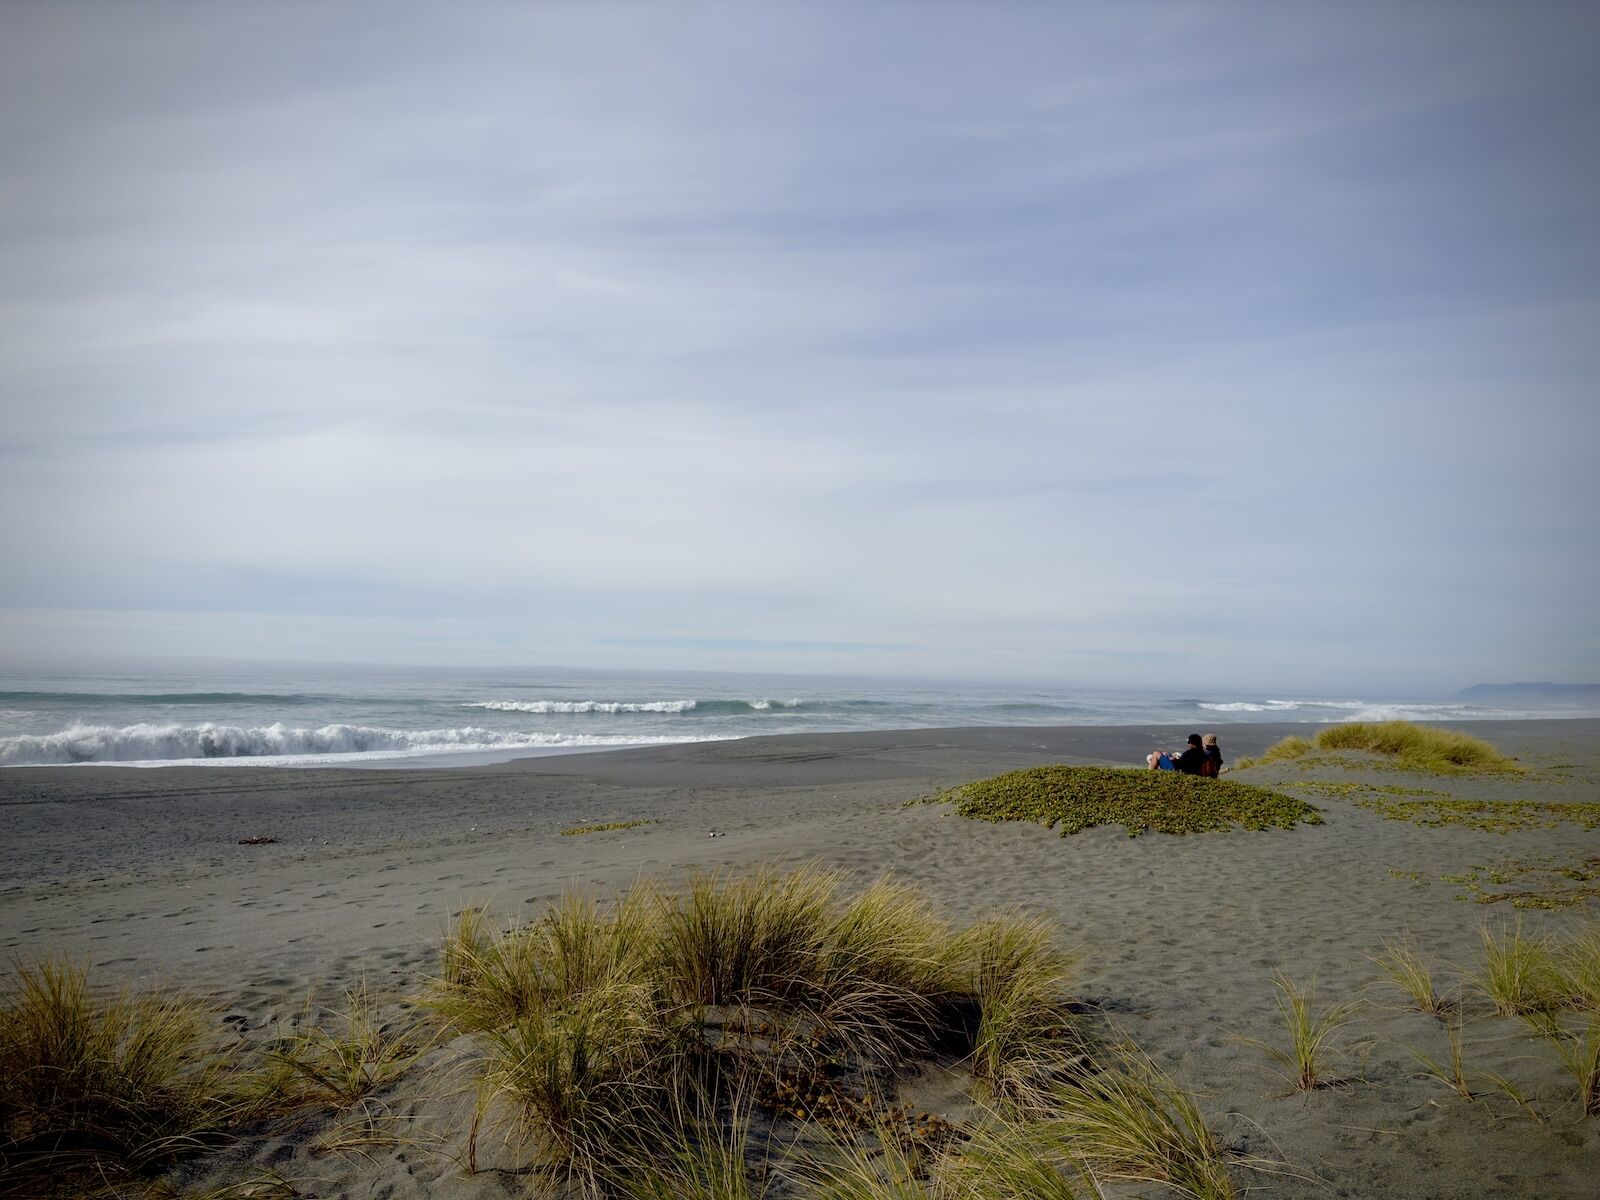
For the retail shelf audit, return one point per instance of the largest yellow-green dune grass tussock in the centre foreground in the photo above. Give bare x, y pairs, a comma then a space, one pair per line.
598, 1022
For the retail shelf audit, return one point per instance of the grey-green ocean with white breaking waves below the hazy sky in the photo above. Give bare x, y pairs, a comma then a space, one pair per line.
282, 716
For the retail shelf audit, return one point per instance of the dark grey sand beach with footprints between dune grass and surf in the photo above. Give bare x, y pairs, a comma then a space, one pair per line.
142, 874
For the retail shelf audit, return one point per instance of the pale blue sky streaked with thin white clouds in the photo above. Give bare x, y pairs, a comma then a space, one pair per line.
1193, 345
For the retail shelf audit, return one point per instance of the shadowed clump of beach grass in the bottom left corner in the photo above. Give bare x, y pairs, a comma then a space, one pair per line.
102, 1090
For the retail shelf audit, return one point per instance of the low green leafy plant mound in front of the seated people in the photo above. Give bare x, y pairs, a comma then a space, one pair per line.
1079, 798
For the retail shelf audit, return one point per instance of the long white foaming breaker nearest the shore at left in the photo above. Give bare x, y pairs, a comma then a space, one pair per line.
279, 745
